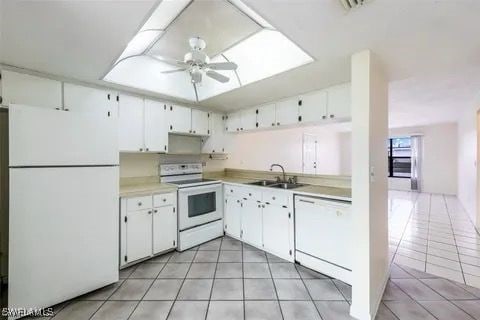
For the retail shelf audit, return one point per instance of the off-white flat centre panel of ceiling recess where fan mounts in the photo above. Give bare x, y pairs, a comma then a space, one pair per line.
219, 23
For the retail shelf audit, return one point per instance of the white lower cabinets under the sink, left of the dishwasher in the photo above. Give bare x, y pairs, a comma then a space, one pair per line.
260, 217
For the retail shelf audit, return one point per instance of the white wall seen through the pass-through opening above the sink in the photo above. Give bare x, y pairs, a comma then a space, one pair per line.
258, 150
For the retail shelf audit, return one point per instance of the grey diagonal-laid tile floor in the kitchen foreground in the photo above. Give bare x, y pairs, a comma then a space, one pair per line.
225, 279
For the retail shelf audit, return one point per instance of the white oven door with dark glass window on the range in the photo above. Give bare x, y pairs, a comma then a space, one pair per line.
199, 205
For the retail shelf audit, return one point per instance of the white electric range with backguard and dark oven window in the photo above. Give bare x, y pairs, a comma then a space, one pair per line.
200, 205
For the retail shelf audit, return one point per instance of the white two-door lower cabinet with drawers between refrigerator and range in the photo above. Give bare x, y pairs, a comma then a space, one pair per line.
148, 226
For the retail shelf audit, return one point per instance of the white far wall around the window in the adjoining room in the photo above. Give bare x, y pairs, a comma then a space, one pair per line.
439, 170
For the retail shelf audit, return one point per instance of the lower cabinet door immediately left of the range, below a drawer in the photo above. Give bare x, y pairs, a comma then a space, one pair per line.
164, 228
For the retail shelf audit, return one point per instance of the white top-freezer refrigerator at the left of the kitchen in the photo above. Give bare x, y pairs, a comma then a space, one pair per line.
63, 219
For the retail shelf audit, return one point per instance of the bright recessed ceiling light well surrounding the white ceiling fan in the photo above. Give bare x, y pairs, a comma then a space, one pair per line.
232, 31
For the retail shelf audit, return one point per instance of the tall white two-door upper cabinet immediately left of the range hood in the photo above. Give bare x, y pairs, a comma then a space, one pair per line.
142, 125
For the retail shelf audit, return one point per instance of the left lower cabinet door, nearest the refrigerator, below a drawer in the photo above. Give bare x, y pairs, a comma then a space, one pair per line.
139, 234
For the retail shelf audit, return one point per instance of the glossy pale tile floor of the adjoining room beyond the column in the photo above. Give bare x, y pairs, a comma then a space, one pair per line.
433, 233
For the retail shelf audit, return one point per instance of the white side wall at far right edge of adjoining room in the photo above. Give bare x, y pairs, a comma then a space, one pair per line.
467, 161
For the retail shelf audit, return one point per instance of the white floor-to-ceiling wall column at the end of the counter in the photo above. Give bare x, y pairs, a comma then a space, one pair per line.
369, 184
